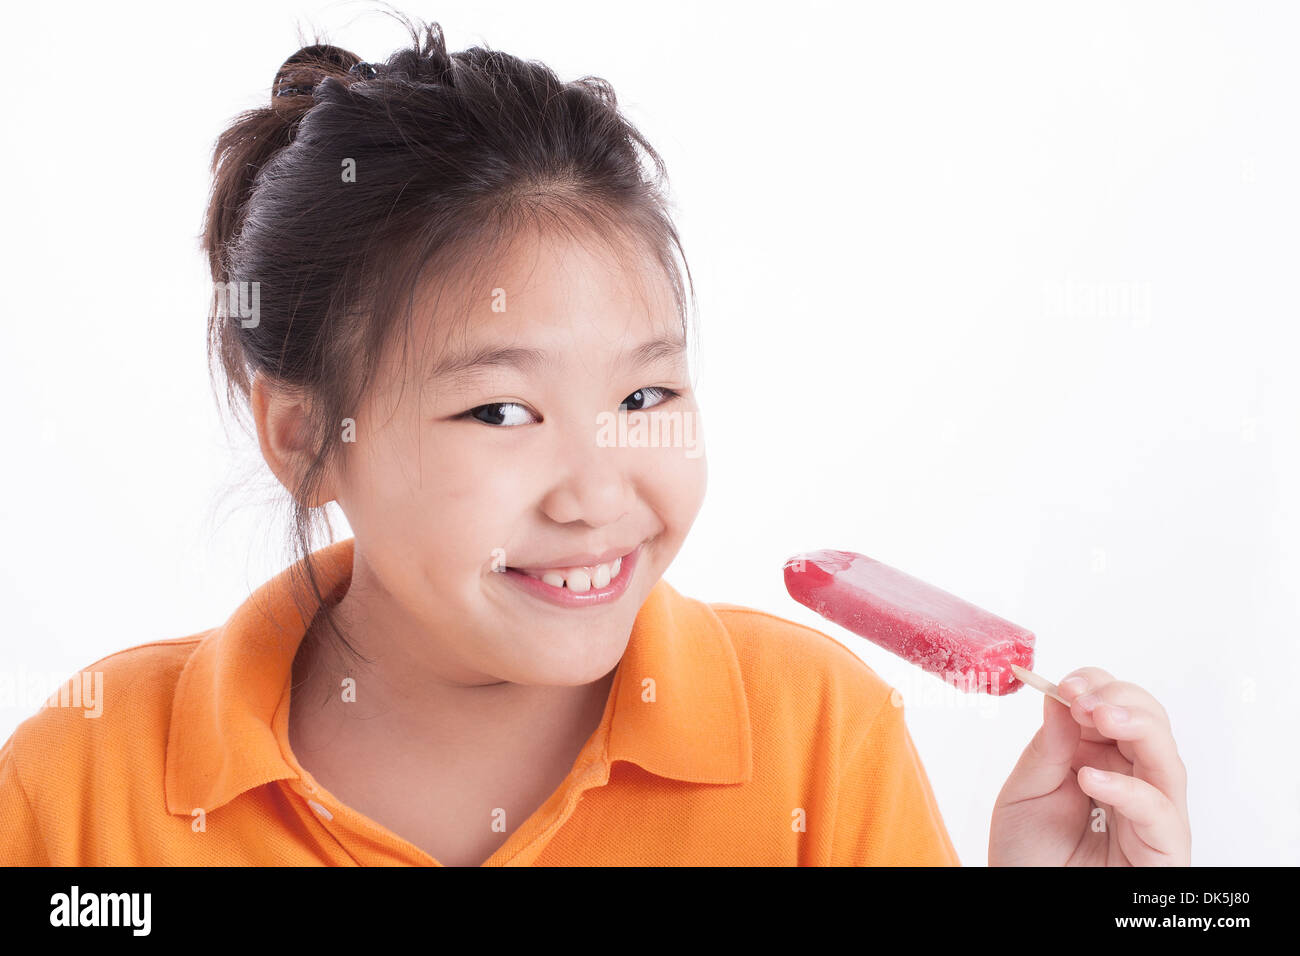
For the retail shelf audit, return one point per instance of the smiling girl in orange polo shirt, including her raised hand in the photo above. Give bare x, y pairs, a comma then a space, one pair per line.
450, 297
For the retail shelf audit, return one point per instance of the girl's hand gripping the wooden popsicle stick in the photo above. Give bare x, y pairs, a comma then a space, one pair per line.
1046, 815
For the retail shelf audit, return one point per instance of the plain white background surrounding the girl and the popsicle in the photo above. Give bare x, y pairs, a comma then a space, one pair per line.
1000, 295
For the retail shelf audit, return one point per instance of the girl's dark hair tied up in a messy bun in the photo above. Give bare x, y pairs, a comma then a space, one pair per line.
454, 154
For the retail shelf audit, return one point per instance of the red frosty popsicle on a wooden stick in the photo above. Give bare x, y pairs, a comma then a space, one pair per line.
965, 646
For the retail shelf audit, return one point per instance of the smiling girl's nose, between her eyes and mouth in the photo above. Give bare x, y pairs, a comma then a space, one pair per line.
593, 485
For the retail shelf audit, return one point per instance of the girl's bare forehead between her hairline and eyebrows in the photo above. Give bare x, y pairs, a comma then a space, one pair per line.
530, 301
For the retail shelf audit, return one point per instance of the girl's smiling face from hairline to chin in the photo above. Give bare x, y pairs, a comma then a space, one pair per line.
454, 474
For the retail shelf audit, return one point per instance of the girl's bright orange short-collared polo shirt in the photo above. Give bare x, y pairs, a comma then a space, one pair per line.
768, 743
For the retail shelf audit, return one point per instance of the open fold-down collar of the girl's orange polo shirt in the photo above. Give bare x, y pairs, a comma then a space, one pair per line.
679, 711
